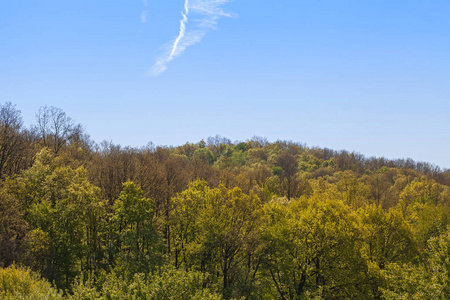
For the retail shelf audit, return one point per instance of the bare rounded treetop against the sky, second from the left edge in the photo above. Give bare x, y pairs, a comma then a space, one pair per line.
55, 128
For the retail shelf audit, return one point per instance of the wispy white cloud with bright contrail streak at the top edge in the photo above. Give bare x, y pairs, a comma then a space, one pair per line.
207, 13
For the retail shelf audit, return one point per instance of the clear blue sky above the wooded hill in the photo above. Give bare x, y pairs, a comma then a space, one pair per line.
371, 76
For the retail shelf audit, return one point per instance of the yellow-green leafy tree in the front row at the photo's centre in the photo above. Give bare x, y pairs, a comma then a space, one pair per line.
216, 231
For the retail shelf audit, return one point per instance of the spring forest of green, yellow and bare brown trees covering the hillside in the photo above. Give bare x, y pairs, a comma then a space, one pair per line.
214, 219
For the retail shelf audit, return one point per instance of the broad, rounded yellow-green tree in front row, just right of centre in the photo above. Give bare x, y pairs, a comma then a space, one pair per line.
313, 249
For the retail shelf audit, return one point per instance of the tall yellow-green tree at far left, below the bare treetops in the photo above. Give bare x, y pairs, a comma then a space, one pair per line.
65, 214
